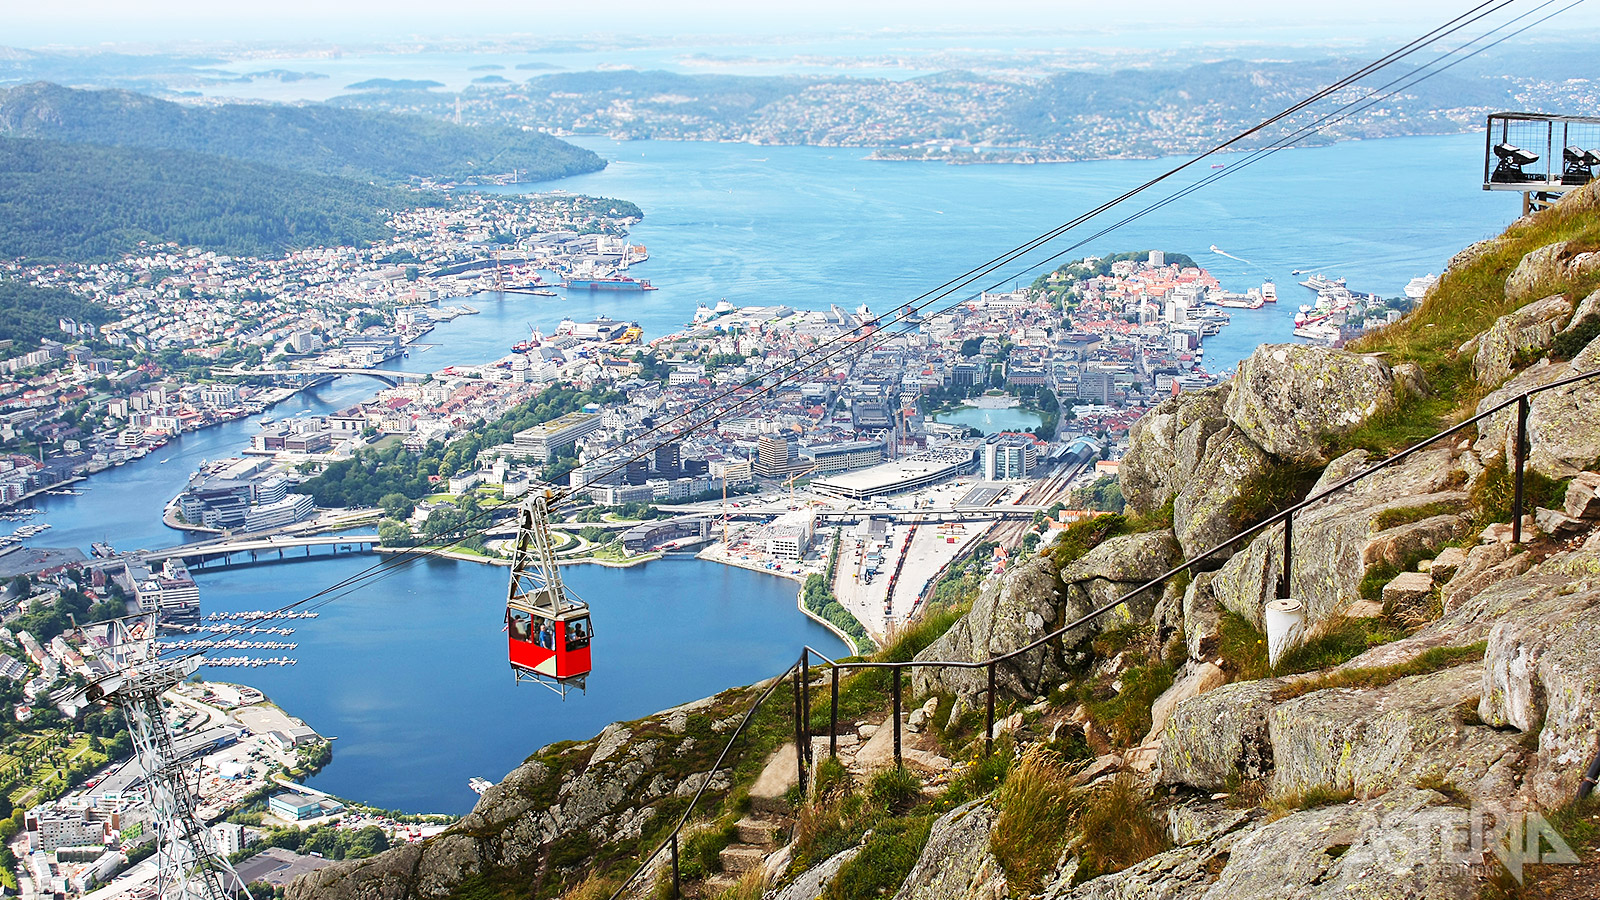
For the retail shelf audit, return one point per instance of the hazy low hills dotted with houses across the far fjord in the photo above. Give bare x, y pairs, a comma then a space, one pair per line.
1130, 113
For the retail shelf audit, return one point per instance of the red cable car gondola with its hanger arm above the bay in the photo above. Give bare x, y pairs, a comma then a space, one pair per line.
548, 632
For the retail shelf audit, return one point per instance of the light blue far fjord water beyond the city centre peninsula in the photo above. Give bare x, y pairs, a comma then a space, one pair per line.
817, 227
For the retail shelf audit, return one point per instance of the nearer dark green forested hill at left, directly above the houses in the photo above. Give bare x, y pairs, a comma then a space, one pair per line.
90, 204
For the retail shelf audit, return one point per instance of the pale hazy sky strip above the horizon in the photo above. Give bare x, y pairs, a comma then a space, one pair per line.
33, 23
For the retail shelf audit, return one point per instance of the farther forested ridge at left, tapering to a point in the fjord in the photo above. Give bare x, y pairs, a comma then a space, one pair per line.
321, 140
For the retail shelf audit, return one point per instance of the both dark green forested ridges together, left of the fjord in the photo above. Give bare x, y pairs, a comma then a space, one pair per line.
89, 175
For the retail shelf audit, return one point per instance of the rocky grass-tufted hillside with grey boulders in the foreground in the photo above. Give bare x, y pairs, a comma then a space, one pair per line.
1154, 752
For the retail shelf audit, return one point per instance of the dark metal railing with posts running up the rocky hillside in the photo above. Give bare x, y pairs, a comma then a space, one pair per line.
801, 672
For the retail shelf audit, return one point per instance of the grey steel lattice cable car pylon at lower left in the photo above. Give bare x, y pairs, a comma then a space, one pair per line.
186, 862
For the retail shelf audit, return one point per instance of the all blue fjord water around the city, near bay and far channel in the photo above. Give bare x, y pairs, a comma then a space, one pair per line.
410, 672
